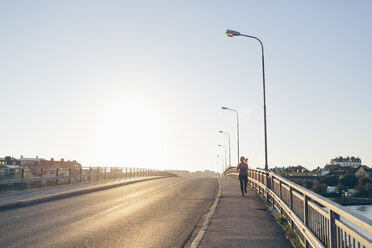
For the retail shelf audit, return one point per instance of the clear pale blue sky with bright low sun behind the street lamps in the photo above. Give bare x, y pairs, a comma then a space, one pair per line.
141, 83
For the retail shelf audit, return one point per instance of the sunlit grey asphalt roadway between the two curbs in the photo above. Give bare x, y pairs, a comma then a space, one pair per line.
156, 213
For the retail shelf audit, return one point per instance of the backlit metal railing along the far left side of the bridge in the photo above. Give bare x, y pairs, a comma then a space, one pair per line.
31, 177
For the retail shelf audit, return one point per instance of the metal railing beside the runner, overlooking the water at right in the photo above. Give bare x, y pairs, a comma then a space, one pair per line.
317, 221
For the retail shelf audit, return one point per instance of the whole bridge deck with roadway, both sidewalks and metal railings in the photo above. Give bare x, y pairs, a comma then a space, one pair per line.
137, 207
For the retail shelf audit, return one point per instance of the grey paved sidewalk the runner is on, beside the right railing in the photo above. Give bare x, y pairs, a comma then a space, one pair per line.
242, 221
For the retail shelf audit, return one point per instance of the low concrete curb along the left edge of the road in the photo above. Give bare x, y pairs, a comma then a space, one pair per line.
76, 192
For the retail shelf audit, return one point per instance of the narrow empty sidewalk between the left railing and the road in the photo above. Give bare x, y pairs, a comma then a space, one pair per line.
16, 198
